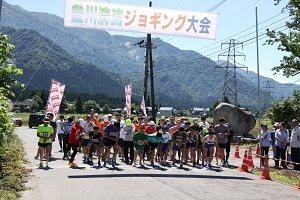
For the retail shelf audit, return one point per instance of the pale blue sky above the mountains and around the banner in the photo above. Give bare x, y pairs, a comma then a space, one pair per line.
235, 16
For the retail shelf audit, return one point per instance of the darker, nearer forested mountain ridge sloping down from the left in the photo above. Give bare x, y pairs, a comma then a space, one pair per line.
30, 50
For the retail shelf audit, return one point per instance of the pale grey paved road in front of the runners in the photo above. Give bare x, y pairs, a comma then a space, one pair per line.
126, 182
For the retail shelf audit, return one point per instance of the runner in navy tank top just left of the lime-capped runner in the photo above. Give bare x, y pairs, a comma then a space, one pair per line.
111, 137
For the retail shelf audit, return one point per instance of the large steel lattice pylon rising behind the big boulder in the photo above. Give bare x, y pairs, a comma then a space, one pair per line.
230, 82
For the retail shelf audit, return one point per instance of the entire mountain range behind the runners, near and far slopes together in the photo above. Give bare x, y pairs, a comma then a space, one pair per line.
105, 63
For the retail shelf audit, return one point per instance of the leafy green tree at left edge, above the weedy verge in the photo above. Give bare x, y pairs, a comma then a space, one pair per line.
7, 70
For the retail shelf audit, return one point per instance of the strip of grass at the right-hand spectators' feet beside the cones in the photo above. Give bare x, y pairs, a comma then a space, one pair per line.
286, 176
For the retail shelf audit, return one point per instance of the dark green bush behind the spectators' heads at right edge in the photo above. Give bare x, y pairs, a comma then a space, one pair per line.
285, 111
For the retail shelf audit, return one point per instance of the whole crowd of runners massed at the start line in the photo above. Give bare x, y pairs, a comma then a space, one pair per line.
136, 142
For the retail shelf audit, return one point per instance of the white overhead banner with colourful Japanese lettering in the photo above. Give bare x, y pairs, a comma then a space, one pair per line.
97, 15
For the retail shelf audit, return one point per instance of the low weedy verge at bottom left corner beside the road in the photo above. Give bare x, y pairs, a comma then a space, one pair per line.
13, 174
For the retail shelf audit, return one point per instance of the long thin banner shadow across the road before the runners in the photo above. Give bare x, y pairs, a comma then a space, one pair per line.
158, 175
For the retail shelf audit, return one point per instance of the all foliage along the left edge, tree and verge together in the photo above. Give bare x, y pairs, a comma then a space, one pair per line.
12, 171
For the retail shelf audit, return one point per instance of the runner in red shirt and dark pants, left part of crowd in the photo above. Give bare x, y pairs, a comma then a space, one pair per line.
76, 132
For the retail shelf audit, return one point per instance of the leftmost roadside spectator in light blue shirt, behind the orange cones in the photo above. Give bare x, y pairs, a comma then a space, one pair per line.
265, 137
